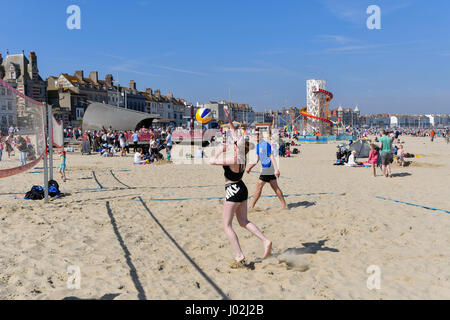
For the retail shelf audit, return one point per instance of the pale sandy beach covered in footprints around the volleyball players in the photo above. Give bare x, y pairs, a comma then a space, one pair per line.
130, 237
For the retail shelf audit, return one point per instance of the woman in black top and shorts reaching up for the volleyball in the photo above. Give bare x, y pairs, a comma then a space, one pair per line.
237, 194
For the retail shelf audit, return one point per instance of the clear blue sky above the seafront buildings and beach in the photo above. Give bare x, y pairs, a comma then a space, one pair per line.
261, 51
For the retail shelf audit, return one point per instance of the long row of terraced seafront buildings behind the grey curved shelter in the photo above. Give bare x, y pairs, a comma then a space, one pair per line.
70, 96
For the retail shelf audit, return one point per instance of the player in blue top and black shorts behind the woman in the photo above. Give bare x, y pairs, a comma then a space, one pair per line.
269, 170
